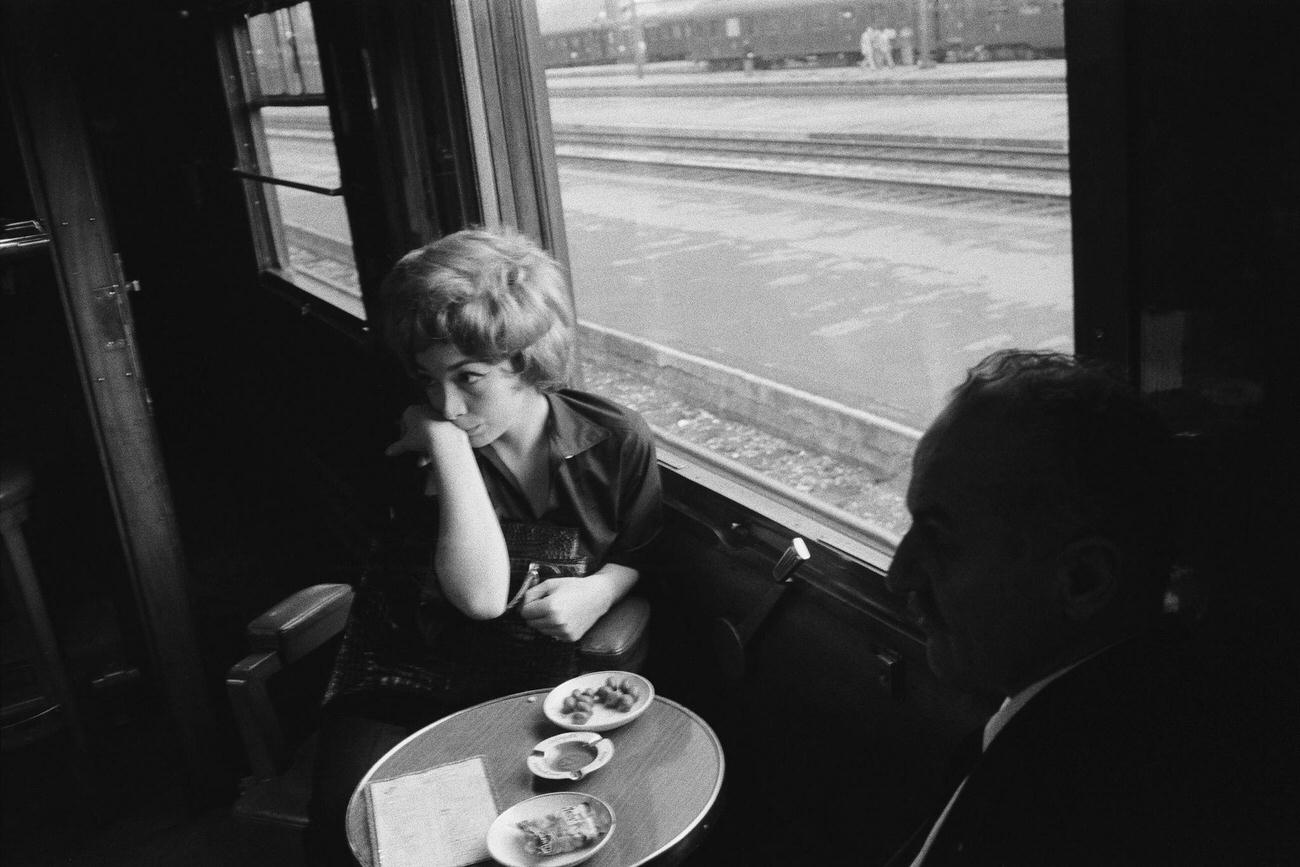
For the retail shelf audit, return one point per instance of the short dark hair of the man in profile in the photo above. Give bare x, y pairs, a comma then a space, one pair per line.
1108, 457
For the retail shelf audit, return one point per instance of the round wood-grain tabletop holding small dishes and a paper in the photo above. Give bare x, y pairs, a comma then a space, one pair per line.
664, 782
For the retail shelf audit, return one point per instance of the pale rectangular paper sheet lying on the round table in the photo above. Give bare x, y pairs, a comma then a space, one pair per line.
436, 818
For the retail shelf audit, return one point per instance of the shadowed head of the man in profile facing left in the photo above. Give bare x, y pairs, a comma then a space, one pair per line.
1042, 521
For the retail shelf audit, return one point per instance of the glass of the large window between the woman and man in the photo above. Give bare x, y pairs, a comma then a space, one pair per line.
788, 284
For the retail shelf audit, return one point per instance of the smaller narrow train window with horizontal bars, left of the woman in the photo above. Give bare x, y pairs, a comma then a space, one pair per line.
288, 157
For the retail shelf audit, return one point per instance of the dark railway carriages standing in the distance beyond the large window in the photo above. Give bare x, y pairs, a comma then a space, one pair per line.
722, 34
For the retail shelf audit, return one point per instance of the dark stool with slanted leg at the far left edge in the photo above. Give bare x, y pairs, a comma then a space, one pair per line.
16, 487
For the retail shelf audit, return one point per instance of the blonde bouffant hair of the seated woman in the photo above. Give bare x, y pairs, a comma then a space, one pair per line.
495, 294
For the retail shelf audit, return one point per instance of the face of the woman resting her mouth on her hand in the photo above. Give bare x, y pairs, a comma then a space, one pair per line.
483, 398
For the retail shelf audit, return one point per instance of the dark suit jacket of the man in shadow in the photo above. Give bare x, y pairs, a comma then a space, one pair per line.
1117, 762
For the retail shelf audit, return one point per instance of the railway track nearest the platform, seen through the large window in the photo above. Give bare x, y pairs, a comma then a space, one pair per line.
1037, 170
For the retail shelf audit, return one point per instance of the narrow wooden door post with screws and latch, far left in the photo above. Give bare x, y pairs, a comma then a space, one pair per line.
41, 72
